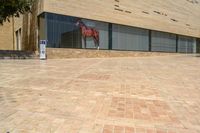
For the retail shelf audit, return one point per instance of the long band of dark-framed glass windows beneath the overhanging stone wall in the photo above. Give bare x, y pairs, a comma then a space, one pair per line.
63, 32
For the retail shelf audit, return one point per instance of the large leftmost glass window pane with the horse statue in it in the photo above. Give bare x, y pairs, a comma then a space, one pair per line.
64, 32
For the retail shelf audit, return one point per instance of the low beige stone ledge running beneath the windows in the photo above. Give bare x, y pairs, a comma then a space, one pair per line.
61, 53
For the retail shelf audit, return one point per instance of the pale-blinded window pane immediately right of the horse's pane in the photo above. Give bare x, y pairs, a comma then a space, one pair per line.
129, 38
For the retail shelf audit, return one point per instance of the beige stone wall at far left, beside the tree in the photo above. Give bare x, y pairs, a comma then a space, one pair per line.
28, 25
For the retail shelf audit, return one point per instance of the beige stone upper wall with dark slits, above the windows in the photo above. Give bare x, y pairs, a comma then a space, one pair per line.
174, 16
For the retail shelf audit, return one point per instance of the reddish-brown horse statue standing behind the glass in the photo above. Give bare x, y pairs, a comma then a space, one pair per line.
88, 32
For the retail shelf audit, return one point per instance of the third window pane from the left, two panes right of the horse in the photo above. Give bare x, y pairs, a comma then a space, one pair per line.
164, 42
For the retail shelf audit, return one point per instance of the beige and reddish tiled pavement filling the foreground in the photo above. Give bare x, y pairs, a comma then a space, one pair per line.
116, 95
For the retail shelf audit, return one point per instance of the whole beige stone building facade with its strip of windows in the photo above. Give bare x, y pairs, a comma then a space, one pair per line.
130, 25
